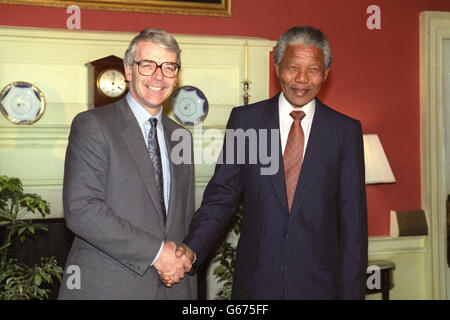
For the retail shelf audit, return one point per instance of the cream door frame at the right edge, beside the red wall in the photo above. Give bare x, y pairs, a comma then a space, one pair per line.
434, 28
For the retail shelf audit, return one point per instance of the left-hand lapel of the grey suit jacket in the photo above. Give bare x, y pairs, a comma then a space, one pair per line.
132, 136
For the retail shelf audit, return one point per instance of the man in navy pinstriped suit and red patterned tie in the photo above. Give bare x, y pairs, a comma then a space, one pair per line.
304, 231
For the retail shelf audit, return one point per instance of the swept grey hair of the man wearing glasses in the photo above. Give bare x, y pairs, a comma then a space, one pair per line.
157, 36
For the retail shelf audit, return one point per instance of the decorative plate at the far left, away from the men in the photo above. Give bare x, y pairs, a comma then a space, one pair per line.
22, 103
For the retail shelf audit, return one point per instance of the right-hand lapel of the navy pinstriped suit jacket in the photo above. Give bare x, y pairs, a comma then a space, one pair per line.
313, 156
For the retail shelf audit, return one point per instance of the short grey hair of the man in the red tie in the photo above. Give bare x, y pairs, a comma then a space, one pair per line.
305, 35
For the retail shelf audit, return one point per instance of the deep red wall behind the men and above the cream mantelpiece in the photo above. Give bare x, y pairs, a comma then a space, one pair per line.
374, 76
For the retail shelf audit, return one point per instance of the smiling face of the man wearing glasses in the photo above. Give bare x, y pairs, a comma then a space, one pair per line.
151, 91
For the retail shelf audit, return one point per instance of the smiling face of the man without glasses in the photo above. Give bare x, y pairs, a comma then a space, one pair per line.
301, 72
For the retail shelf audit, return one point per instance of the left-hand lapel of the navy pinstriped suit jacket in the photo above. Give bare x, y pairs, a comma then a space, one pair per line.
270, 120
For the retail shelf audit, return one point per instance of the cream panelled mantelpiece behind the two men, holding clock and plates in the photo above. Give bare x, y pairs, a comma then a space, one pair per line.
55, 61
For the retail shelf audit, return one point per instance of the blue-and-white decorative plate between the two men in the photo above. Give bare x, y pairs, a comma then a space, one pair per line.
189, 105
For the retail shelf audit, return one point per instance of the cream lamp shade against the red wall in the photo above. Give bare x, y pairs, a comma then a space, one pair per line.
377, 165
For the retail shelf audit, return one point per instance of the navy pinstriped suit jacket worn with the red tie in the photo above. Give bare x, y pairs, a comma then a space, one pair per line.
319, 250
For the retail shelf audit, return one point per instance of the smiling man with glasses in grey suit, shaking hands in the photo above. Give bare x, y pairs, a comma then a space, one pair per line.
126, 201
